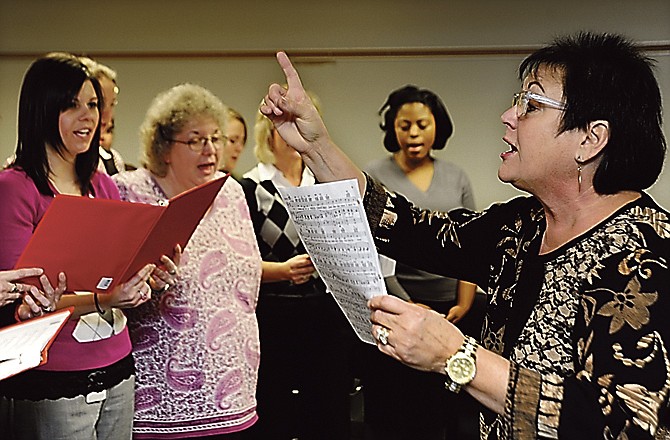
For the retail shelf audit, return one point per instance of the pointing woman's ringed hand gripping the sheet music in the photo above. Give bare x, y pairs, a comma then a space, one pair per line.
415, 335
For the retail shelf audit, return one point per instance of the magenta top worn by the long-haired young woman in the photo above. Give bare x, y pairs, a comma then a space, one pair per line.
22, 208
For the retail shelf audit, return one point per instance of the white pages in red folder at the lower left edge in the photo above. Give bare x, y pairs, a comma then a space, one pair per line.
25, 345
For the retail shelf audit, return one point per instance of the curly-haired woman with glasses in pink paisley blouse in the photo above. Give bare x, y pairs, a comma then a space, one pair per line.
196, 344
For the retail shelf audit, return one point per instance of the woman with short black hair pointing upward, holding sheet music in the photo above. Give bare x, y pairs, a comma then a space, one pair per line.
576, 335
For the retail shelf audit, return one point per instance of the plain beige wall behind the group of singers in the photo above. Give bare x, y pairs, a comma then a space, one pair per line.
476, 89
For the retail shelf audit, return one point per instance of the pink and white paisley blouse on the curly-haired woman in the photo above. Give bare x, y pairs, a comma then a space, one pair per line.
196, 346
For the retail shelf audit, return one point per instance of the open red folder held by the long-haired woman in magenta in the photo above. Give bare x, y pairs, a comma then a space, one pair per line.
100, 243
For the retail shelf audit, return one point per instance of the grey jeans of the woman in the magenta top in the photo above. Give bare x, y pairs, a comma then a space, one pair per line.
93, 417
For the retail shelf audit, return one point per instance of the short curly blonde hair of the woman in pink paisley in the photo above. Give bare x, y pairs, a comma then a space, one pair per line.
167, 115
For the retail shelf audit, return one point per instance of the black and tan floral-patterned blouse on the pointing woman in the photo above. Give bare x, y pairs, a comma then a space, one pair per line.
591, 360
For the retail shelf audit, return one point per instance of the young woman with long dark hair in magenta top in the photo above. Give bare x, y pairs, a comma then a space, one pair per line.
86, 389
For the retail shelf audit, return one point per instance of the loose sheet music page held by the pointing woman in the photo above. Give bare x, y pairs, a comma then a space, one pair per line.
331, 222
